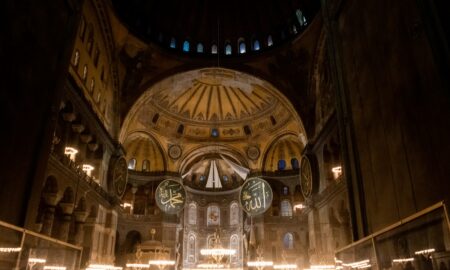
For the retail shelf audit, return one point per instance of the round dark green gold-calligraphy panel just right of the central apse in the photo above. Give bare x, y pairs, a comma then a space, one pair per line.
256, 196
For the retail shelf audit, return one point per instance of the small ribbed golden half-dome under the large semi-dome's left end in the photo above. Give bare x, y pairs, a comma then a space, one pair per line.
144, 153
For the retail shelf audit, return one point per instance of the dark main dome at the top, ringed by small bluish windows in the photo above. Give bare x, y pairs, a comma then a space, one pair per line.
258, 25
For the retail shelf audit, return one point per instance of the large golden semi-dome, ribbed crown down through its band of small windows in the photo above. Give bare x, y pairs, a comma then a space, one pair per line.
212, 102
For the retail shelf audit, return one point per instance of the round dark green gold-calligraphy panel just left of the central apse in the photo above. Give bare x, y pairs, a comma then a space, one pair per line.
170, 196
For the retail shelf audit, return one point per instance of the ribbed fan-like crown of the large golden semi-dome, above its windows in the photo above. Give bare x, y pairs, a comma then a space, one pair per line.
215, 95
